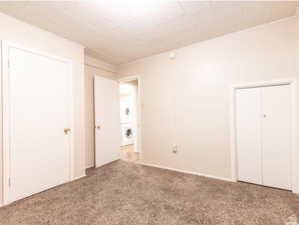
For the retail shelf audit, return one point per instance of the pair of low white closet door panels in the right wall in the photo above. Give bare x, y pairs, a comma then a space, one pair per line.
263, 118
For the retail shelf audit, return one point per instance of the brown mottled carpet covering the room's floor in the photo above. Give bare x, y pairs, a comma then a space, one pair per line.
124, 193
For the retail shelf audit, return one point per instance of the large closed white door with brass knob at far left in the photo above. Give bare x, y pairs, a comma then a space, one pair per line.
37, 112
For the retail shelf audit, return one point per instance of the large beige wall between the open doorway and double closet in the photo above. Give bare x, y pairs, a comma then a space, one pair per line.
186, 100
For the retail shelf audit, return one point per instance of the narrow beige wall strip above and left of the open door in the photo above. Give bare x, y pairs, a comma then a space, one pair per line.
93, 67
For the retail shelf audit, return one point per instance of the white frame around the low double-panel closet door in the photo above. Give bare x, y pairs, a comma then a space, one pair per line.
295, 150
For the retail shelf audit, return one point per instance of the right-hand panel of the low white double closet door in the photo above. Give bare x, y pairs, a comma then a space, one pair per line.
276, 136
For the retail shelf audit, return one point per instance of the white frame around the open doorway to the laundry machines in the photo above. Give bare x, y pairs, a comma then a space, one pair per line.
139, 106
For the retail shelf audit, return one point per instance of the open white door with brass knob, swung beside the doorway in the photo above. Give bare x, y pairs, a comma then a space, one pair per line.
107, 121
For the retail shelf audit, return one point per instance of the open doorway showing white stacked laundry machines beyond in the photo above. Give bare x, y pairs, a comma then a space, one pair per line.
129, 117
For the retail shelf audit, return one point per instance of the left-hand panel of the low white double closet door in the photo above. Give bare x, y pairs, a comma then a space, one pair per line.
248, 135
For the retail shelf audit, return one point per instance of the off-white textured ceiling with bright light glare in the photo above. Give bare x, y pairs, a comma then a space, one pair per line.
120, 31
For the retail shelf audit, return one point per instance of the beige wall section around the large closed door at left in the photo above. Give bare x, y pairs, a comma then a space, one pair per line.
34, 38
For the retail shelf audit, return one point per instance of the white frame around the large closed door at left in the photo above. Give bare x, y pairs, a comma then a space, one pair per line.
4, 109
